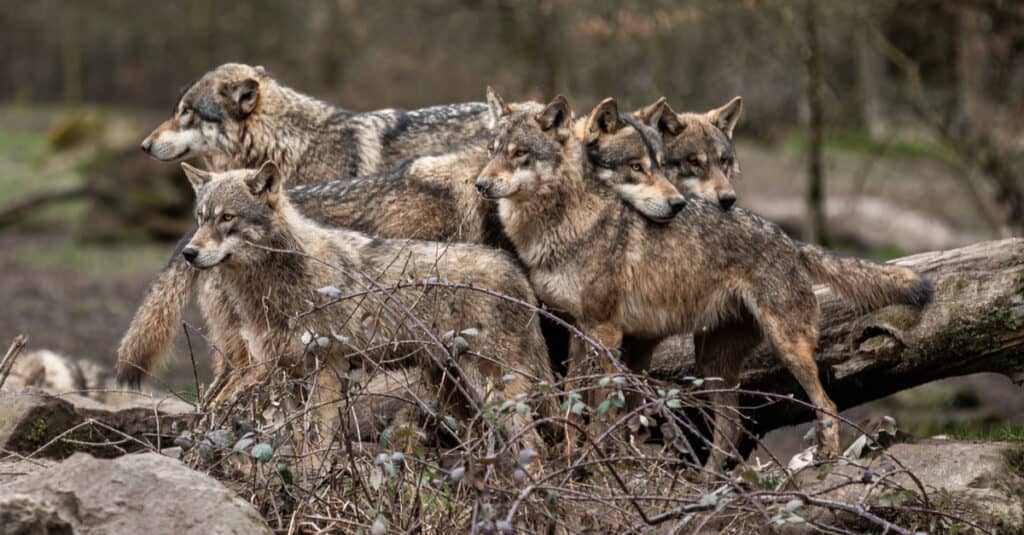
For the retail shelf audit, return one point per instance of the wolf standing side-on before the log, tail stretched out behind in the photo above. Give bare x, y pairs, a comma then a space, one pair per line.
731, 275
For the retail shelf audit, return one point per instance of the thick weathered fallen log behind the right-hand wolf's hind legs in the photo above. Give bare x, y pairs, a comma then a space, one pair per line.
976, 324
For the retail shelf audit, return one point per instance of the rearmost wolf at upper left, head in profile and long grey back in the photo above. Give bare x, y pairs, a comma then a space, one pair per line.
238, 116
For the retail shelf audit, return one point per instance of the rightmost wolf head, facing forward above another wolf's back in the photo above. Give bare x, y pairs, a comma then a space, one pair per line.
701, 158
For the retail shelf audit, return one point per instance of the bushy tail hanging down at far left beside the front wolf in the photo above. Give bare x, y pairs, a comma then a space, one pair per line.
152, 332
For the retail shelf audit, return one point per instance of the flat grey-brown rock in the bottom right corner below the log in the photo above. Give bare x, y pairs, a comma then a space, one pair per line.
979, 481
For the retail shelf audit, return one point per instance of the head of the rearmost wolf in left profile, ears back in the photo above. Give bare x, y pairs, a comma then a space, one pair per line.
209, 115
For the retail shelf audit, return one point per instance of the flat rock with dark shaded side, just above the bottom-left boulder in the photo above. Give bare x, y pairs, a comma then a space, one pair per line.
30, 420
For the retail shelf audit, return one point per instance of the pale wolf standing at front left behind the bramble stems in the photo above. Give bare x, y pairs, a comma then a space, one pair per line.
273, 261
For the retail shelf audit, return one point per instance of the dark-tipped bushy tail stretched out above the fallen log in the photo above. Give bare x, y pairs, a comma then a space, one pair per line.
867, 284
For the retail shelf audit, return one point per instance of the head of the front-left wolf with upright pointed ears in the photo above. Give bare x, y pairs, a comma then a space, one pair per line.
234, 210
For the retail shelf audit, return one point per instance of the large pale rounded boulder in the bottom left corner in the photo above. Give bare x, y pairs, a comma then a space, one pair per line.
147, 493
